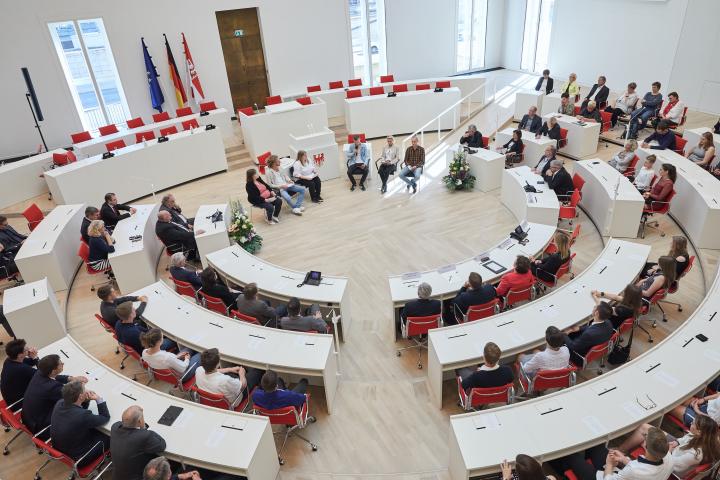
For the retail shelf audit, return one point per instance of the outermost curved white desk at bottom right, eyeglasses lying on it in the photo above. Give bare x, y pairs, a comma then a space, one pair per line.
597, 410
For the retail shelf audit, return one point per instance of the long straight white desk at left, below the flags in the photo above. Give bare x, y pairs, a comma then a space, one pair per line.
139, 170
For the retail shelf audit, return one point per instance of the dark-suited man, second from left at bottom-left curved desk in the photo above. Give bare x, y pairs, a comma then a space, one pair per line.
44, 391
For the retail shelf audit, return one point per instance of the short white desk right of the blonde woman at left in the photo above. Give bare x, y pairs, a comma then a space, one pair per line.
135, 263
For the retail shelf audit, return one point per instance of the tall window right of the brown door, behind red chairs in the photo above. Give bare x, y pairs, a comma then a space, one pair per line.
367, 27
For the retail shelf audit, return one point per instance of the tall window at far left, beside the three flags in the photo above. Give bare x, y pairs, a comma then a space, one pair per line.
87, 60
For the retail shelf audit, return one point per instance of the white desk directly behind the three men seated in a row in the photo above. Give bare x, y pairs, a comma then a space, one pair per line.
380, 115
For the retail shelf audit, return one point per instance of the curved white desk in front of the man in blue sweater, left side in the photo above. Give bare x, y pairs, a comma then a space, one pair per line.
296, 354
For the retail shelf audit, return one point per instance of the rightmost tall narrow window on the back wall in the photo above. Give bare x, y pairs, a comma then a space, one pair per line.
536, 36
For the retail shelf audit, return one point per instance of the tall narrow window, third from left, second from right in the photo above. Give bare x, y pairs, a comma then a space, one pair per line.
471, 28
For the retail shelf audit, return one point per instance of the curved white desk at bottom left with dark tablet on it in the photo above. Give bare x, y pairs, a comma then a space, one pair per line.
206, 437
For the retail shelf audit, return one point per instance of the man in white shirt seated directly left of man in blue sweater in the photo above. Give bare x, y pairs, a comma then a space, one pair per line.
233, 383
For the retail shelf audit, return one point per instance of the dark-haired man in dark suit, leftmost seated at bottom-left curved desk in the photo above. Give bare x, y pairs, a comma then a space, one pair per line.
18, 370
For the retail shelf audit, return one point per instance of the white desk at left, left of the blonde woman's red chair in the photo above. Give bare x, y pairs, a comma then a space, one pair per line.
51, 249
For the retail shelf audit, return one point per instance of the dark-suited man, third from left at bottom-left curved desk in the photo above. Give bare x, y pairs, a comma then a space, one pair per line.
74, 427
